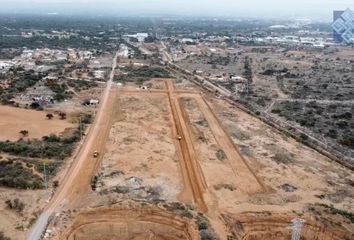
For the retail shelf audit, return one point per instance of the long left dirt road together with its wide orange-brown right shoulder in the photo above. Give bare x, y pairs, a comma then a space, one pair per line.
71, 182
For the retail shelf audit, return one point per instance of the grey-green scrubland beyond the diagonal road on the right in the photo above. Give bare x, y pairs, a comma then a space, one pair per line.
312, 89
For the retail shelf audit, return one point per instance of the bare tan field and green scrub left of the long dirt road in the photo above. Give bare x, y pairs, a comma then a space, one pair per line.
22, 162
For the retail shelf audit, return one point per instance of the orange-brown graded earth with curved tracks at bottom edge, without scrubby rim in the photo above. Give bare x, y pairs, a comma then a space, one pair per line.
128, 224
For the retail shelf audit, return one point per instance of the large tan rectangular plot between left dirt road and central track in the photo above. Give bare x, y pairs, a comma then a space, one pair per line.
141, 160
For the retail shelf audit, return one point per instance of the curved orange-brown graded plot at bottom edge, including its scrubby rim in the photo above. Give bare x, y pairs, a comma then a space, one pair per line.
133, 220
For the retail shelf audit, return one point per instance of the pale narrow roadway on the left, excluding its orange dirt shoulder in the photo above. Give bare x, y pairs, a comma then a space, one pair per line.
78, 163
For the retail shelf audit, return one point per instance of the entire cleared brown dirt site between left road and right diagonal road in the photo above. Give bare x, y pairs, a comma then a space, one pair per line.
171, 145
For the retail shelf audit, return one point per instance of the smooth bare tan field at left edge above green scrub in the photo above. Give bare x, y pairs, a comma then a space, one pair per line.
13, 120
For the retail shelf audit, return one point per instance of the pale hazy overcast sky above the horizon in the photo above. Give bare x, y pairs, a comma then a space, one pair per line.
317, 9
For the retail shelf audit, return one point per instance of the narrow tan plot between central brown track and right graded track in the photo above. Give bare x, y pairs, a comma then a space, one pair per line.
226, 174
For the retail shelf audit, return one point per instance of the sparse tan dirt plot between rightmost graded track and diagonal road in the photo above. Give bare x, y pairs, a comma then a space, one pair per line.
297, 177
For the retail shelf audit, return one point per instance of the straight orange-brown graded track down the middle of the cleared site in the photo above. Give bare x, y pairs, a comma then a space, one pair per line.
192, 174
